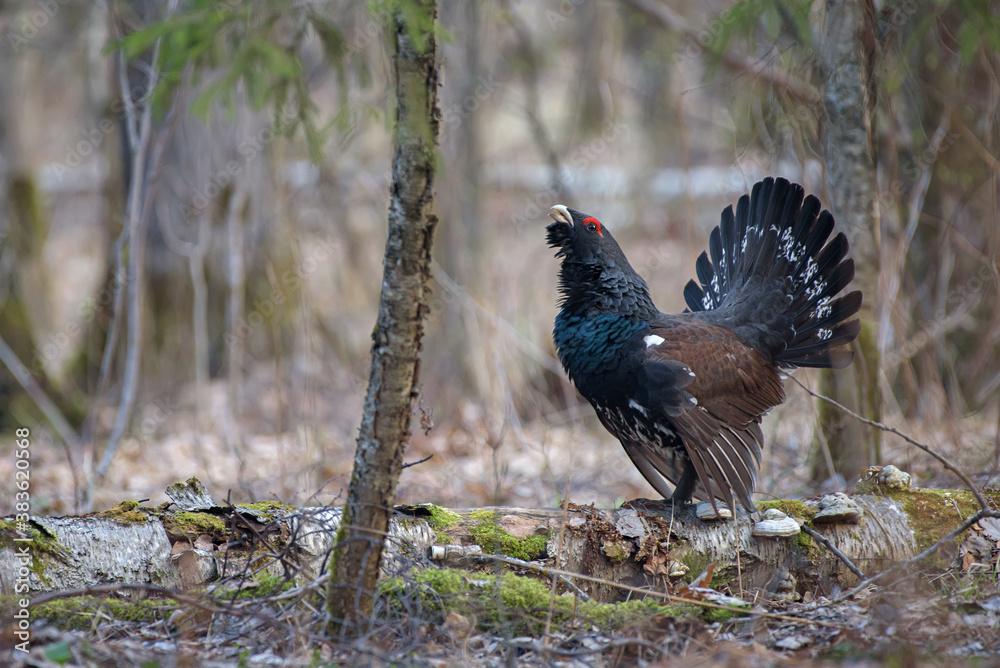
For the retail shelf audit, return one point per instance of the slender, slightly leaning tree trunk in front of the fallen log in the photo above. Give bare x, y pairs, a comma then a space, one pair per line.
393, 383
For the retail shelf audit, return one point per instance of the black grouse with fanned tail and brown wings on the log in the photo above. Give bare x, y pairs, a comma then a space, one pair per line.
685, 393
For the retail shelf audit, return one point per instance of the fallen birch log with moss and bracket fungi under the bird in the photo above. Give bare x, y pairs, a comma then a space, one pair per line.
193, 542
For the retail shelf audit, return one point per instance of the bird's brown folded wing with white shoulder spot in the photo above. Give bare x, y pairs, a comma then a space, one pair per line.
731, 387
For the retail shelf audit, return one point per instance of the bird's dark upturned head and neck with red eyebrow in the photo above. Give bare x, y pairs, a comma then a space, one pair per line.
594, 270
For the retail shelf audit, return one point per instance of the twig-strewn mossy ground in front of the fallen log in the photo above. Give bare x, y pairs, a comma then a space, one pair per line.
917, 621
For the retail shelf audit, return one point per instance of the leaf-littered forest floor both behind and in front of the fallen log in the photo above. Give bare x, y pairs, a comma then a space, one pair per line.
922, 618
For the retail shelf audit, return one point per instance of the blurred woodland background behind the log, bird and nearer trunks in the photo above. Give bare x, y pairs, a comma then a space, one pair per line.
221, 327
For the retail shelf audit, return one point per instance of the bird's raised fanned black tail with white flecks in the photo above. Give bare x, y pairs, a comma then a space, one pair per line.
774, 275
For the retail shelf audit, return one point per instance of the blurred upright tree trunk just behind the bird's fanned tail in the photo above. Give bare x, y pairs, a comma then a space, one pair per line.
847, 56
